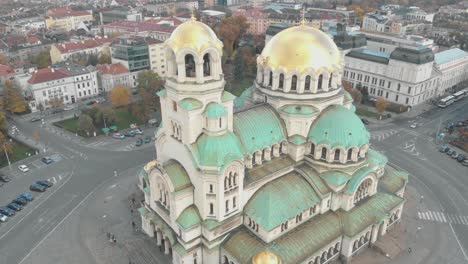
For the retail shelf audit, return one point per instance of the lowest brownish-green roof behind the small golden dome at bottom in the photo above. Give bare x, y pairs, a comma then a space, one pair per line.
293, 247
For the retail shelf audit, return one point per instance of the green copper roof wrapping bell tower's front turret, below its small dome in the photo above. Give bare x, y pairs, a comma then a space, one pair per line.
217, 150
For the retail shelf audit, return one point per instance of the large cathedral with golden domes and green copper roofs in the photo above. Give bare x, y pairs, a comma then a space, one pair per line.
281, 174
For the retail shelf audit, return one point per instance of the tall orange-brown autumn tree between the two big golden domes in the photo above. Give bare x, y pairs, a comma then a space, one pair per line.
231, 30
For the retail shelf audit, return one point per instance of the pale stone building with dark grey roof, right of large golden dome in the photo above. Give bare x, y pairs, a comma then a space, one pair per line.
406, 76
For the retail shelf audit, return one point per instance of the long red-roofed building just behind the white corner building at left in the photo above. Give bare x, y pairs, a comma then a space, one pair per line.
65, 51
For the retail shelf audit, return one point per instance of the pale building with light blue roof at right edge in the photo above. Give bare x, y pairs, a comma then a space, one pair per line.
453, 65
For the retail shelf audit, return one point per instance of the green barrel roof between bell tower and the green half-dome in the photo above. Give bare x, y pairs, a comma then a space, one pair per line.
258, 127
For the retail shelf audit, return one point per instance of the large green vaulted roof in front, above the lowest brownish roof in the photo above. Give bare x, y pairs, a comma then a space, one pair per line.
280, 200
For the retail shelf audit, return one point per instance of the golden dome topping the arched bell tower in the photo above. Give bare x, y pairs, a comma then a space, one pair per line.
194, 35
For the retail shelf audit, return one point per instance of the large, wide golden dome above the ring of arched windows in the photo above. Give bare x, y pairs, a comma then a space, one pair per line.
300, 48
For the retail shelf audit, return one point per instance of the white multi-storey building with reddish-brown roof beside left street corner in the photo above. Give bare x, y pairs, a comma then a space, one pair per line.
70, 83
